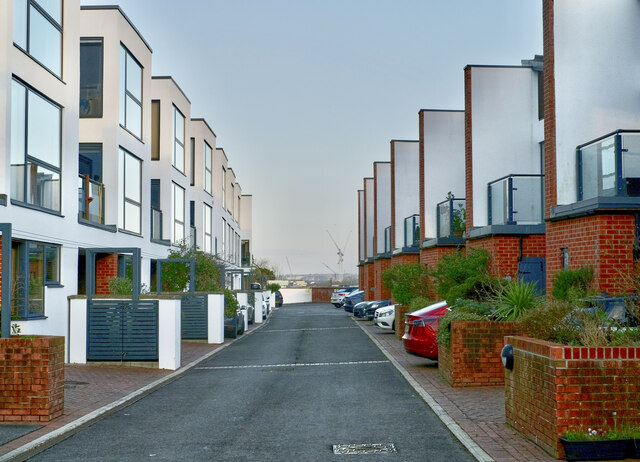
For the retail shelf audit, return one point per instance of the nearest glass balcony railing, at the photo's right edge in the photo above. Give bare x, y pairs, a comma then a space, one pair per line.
610, 166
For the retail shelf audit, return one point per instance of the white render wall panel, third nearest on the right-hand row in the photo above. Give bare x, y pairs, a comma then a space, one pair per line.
443, 162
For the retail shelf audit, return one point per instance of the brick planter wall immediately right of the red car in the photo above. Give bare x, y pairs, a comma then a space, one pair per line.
473, 357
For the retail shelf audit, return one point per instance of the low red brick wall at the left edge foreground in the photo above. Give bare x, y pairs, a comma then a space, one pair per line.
31, 379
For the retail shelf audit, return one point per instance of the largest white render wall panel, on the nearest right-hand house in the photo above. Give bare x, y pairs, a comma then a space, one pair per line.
597, 72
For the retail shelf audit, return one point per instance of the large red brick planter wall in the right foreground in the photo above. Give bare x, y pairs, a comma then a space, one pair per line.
555, 388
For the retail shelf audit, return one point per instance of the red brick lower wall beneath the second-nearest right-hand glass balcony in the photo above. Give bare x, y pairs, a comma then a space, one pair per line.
505, 251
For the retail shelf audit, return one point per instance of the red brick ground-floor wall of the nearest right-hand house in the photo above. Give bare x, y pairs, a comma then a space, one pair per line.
604, 242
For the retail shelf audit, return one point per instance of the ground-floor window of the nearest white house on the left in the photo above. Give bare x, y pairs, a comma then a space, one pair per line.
34, 265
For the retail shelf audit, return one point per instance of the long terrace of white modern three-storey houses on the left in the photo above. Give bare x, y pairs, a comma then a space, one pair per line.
98, 154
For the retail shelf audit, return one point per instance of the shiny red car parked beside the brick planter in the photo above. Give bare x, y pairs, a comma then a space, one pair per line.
421, 328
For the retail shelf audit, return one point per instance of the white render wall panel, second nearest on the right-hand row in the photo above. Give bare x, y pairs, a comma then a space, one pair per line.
505, 129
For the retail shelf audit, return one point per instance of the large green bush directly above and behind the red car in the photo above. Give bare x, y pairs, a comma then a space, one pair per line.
465, 276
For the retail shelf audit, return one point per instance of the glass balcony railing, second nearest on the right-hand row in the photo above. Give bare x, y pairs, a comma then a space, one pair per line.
516, 200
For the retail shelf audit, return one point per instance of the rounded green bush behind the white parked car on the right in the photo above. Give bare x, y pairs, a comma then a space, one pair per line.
406, 281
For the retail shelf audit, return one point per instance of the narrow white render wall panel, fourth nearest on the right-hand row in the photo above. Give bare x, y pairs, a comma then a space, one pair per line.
406, 184
